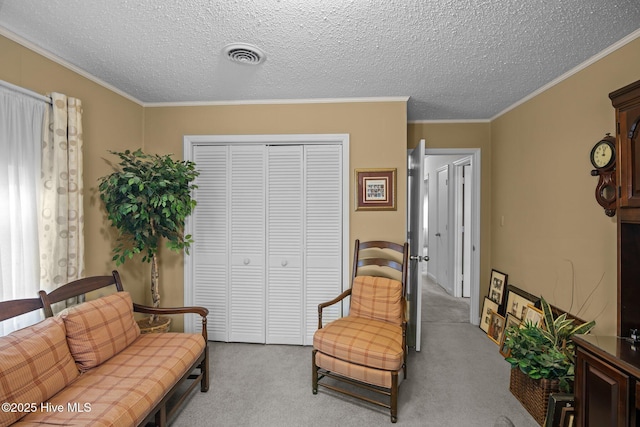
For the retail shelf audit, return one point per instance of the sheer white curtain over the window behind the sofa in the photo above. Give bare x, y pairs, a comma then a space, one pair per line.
21, 130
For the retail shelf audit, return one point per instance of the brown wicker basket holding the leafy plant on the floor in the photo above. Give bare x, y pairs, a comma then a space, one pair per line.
533, 394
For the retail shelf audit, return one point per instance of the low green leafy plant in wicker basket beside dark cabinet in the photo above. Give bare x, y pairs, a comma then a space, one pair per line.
542, 358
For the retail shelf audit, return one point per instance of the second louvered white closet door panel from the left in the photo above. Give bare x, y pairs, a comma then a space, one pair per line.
247, 243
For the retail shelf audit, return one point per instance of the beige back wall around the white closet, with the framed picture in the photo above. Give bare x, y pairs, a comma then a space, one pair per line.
377, 139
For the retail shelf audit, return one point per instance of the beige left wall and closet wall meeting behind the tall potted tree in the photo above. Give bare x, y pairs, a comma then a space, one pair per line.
111, 122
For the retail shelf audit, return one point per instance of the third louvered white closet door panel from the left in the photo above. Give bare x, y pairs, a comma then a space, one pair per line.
284, 246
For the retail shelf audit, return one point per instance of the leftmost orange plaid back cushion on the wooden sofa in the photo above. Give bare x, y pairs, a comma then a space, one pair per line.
35, 365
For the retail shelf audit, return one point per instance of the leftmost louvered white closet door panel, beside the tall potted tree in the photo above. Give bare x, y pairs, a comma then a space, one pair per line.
210, 225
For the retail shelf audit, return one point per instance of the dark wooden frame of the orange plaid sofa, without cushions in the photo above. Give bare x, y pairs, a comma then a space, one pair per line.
161, 414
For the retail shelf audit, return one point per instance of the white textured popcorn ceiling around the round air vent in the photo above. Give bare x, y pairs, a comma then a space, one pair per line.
455, 59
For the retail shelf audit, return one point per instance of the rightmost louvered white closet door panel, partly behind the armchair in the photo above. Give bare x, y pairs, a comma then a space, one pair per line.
323, 233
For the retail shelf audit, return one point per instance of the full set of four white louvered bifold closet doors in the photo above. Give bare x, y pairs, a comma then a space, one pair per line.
268, 239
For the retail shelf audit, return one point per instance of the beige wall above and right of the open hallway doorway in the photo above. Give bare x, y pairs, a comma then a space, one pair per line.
465, 135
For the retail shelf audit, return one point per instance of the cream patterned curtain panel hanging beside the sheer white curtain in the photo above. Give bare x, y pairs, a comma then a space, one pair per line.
62, 215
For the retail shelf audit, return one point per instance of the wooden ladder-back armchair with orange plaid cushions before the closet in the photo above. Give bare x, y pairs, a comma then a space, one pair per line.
367, 349
